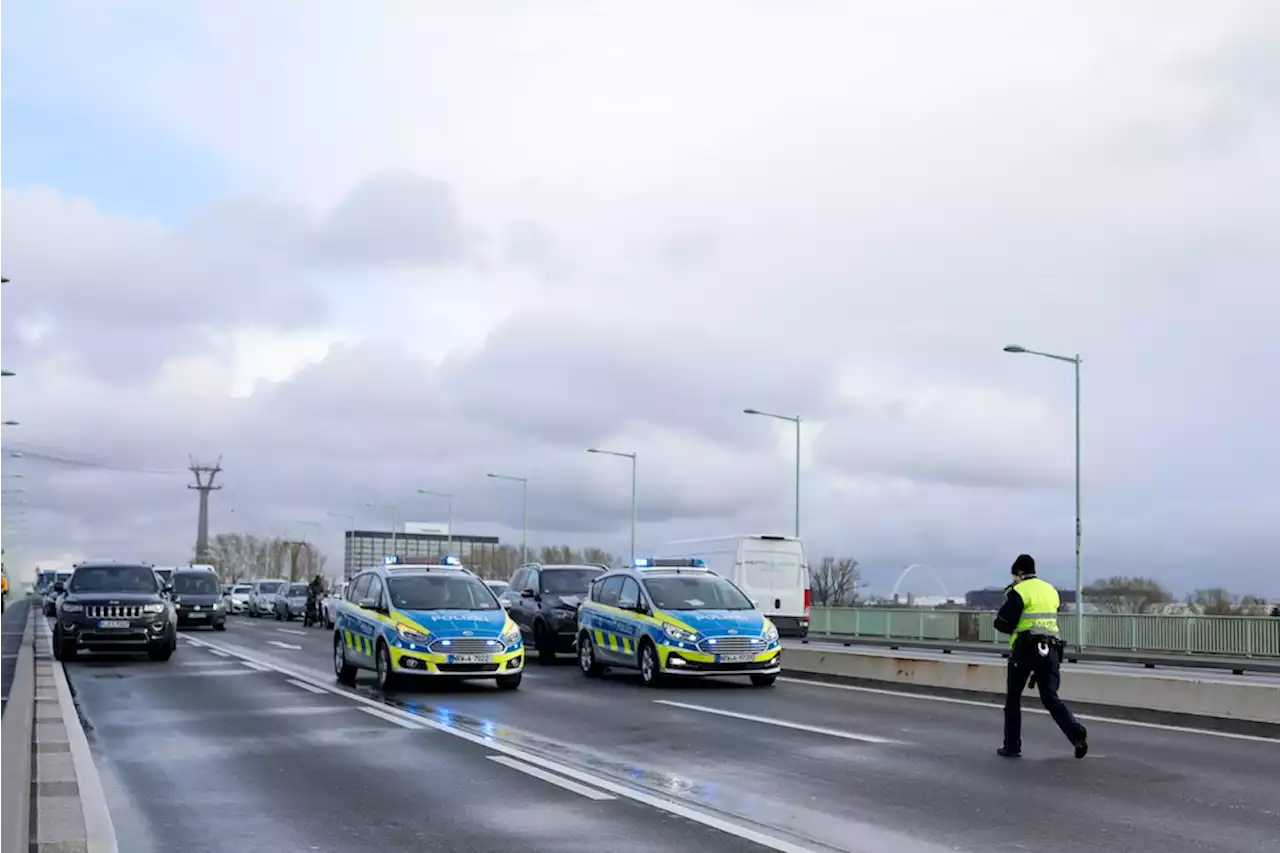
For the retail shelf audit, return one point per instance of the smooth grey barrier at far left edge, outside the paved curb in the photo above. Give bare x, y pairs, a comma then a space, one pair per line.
16, 731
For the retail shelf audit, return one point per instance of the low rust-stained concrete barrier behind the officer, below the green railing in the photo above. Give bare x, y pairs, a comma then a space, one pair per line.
1172, 697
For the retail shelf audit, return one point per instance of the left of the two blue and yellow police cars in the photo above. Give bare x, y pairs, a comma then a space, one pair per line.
426, 619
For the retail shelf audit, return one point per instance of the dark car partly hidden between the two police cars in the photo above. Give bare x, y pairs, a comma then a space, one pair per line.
545, 601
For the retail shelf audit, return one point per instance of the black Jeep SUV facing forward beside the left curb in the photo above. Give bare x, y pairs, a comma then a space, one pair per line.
115, 608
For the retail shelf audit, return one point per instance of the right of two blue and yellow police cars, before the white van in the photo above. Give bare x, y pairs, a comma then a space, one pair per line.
675, 619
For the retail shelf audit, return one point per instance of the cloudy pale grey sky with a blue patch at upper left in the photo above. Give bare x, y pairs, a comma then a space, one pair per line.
364, 249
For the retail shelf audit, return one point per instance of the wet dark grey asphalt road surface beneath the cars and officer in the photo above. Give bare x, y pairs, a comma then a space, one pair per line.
207, 754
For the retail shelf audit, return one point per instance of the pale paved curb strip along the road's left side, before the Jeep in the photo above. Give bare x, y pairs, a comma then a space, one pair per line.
68, 809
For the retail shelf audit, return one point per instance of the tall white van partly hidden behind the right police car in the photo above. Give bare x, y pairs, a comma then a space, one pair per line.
771, 571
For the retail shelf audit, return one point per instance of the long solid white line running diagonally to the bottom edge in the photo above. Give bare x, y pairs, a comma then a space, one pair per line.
653, 801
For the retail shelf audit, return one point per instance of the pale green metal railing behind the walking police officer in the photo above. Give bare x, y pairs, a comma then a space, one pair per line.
1206, 636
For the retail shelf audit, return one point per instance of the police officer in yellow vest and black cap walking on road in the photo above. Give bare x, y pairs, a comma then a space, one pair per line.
1030, 615
